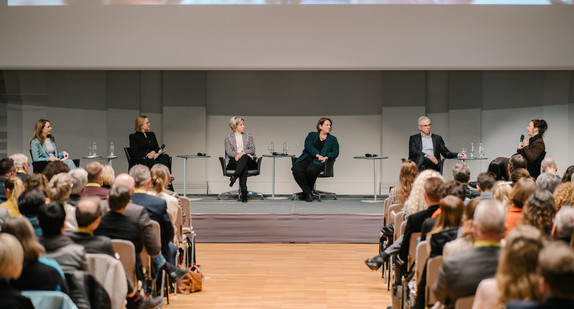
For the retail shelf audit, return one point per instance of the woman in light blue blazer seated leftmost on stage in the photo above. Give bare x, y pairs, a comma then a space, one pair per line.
43, 145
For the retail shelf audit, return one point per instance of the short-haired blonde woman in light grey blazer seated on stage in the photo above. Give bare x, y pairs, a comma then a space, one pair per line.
239, 154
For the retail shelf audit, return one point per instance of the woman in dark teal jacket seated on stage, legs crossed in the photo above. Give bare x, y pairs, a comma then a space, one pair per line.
319, 147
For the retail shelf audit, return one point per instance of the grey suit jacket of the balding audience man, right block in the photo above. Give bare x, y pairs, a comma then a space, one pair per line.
461, 273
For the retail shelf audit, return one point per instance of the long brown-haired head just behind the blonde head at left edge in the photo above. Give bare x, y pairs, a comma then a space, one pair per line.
22, 229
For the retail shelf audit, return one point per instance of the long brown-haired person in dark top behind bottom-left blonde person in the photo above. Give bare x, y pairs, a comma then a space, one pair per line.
39, 273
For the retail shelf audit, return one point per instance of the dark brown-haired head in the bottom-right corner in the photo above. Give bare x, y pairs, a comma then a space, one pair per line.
556, 267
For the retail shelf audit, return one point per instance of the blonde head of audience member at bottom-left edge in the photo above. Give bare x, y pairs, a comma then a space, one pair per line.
11, 257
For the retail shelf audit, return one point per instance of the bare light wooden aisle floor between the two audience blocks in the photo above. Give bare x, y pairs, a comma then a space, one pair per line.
286, 276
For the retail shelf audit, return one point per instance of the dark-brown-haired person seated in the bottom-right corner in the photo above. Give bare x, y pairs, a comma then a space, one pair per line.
556, 267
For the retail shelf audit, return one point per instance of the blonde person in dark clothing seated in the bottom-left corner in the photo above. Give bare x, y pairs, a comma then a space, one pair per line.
11, 257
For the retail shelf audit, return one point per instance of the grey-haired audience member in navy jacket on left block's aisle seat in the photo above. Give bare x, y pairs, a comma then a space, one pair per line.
156, 208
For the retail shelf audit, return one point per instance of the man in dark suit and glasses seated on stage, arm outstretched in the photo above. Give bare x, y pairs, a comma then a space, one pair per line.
425, 148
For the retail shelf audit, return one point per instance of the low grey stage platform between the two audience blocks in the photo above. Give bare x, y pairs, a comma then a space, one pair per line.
345, 220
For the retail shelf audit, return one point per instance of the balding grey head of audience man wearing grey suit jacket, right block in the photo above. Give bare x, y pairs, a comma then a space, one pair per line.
489, 220
